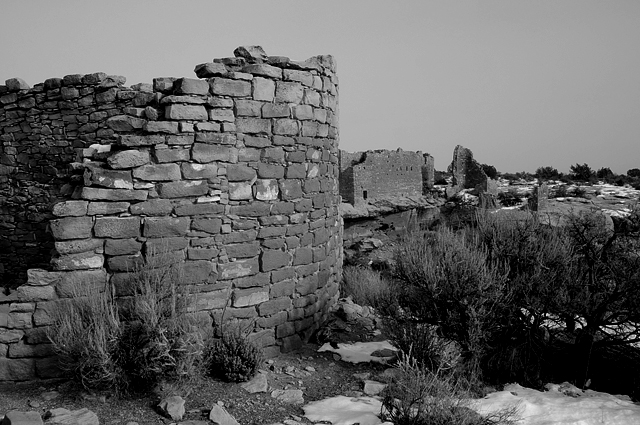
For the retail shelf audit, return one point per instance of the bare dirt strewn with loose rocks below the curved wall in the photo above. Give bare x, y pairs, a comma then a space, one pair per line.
276, 395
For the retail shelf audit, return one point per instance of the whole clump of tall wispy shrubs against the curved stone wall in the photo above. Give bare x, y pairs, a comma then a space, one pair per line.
133, 343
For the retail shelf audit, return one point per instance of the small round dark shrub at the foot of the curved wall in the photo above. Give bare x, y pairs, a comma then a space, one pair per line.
233, 357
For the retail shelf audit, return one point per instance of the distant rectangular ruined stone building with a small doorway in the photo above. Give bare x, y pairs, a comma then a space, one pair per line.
382, 174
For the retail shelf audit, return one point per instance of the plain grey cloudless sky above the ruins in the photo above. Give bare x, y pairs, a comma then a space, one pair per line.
523, 84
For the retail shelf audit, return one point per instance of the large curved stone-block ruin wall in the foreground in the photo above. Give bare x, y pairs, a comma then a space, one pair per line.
234, 172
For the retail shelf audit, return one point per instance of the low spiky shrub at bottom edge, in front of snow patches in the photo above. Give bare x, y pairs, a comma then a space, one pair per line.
423, 397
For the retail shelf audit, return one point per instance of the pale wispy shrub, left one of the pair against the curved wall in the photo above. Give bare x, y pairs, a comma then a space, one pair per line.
85, 332
